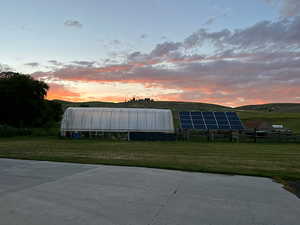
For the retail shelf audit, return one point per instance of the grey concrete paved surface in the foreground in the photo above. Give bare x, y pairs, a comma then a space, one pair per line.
46, 193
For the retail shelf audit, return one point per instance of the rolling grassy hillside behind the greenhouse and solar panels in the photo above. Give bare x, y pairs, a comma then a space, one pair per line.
287, 114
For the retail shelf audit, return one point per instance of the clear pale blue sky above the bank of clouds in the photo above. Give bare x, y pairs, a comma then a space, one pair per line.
34, 30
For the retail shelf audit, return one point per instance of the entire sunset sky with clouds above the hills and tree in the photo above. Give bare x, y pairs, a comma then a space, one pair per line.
227, 52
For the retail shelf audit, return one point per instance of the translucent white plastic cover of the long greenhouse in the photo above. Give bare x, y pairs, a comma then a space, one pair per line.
117, 120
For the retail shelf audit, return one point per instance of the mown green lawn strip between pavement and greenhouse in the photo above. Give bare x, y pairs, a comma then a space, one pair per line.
269, 160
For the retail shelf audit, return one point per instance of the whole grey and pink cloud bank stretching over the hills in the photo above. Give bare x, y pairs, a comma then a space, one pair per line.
258, 64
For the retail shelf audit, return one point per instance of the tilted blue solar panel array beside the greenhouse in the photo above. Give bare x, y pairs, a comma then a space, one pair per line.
210, 121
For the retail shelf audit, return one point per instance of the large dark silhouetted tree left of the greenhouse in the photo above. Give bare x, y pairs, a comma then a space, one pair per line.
23, 101
